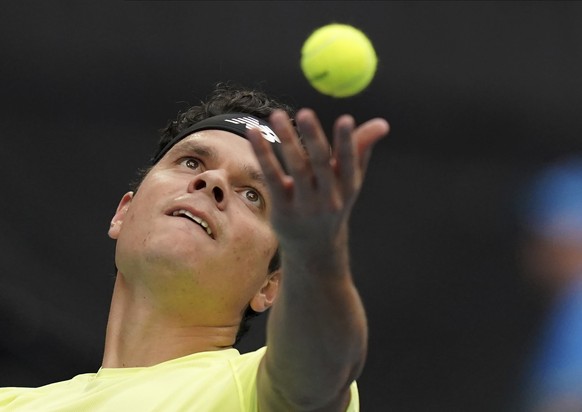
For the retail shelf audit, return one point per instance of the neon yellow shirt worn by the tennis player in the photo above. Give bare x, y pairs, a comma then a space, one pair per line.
219, 381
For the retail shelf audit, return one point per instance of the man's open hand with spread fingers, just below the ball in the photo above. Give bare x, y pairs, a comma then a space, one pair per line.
311, 204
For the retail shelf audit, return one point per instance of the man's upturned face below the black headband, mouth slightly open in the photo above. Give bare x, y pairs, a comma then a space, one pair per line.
197, 232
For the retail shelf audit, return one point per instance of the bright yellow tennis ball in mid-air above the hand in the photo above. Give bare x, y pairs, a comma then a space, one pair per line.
338, 60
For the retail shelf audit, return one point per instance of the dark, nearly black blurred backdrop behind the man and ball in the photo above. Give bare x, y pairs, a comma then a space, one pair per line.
479, 96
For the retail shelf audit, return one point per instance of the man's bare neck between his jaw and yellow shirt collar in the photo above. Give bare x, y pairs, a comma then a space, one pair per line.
139, 333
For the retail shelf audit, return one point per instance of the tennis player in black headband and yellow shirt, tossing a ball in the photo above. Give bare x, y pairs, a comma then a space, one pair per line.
197, 249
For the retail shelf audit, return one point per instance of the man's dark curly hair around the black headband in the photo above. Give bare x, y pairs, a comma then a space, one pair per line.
227, 98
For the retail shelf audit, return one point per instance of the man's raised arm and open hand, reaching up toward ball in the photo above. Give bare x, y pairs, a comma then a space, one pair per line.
317, 331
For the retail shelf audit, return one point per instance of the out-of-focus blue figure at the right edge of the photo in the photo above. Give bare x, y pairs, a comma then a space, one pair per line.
552, 210
